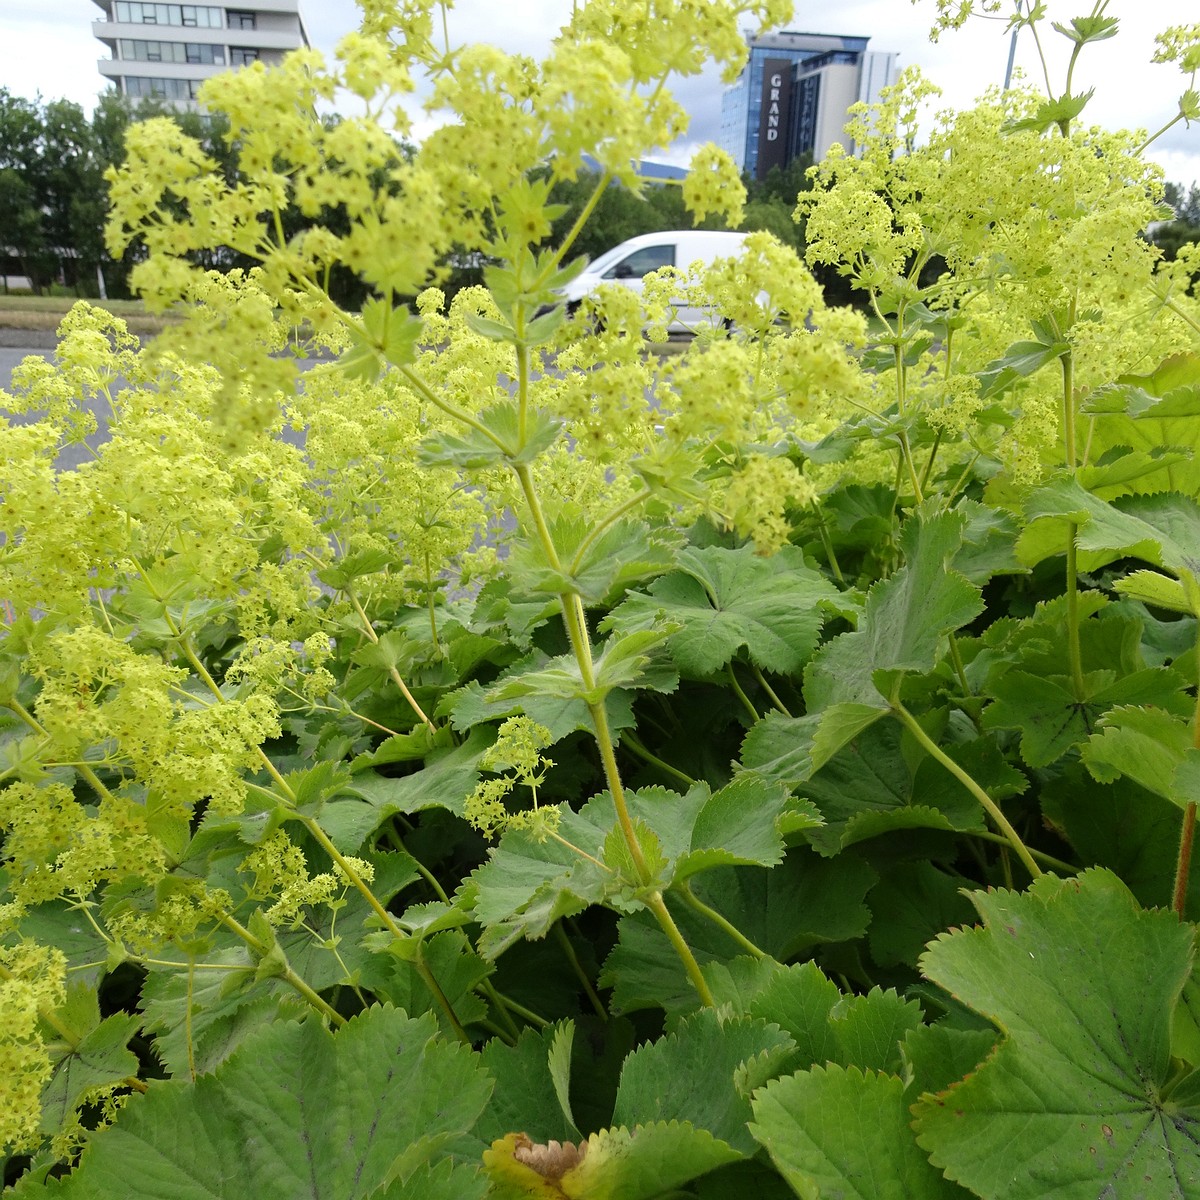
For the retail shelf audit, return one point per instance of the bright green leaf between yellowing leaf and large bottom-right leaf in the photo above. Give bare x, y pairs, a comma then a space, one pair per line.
841, 1132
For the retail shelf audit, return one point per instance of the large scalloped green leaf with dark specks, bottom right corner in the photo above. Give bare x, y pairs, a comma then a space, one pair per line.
1078, 1079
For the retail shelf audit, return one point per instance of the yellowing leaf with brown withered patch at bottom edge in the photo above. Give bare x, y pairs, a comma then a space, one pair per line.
617, 1165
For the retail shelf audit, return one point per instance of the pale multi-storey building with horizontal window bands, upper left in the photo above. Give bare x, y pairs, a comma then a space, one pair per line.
167, 51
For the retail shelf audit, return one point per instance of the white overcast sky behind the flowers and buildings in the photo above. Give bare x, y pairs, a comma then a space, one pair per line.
47, 47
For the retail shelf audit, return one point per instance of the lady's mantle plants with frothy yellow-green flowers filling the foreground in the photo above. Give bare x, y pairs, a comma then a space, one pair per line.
506, 760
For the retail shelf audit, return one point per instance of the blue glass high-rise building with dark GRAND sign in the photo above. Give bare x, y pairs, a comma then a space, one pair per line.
793, 97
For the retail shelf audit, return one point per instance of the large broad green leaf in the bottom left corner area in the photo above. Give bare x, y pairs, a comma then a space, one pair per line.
297, 1112
